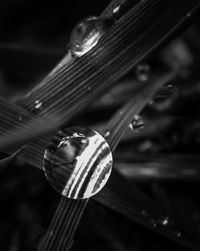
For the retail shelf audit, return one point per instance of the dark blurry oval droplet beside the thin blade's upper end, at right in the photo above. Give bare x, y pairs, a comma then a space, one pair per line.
164, 98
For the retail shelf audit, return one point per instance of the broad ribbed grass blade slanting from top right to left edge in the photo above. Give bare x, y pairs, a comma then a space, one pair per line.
100, 78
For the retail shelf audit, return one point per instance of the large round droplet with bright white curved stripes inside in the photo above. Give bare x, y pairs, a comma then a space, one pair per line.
78, 162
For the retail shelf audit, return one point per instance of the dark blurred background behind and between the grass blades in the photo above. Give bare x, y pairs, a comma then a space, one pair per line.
159, 153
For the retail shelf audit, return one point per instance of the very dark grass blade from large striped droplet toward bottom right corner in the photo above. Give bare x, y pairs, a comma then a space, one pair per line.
120, 199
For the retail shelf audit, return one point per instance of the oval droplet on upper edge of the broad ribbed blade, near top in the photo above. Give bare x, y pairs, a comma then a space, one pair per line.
87, 33
